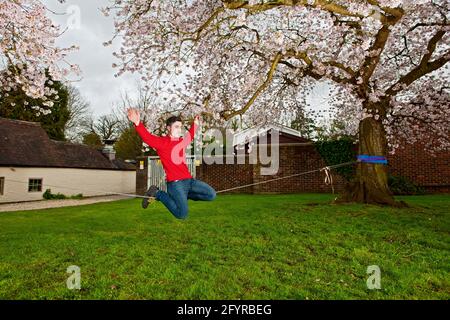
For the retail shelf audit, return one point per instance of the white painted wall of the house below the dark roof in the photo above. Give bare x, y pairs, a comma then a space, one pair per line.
89, 182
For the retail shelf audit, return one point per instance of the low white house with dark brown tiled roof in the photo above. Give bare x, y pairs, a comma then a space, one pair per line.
31, 162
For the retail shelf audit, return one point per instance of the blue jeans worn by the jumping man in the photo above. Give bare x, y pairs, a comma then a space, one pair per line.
178, 192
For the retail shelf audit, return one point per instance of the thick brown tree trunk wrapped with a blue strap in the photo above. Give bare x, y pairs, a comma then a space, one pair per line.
371, 181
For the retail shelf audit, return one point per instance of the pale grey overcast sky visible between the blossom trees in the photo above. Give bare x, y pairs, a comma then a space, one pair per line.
98, 84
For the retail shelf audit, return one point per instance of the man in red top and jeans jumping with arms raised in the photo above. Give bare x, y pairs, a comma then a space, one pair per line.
181, 186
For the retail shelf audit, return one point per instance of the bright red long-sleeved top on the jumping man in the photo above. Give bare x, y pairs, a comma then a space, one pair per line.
171, 151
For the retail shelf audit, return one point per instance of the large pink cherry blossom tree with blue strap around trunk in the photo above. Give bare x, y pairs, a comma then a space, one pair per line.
387, 61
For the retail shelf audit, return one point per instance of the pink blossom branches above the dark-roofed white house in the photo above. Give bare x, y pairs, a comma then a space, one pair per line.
28, 54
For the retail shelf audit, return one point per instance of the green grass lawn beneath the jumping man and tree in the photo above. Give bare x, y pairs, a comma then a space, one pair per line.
236, 247
